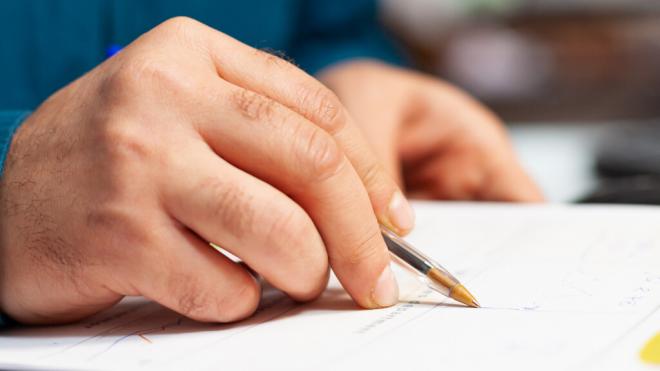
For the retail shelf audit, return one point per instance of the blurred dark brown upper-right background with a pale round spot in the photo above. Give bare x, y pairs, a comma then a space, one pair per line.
540, 59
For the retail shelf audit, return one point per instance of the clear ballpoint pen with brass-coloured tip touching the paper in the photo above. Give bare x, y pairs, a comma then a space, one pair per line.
435, 276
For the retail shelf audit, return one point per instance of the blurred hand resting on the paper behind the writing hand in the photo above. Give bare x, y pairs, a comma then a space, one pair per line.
432, 137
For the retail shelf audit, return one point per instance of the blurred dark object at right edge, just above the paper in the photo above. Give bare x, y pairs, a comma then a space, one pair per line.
628, 160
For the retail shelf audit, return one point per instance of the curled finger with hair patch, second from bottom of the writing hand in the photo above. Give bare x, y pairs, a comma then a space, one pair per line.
250, 219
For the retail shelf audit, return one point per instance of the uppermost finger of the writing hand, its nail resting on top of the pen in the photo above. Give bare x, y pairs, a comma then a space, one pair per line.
283, 82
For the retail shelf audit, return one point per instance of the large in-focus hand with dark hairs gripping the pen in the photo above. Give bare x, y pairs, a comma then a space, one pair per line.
117, 183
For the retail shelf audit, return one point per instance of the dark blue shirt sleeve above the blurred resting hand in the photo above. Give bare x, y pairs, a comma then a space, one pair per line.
334, 31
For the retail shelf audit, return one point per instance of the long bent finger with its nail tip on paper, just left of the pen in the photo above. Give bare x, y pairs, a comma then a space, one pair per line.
283, 148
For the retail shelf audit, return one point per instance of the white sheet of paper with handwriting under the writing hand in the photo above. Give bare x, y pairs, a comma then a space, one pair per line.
562, 287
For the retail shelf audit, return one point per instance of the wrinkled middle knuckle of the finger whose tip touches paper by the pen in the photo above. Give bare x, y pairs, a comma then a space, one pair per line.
321, 156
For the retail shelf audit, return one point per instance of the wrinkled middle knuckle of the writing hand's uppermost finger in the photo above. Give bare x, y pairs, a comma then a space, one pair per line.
324, 108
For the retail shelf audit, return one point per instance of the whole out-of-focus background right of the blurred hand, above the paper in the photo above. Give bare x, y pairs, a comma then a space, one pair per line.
577, 81
